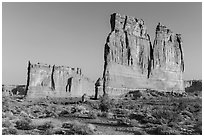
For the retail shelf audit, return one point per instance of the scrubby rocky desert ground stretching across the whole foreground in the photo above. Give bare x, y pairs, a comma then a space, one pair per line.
137, 113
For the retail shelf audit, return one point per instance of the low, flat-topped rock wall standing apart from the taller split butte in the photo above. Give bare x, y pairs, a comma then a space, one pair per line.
56, 81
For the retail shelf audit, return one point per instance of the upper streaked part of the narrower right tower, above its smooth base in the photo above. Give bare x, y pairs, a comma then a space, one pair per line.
168, 53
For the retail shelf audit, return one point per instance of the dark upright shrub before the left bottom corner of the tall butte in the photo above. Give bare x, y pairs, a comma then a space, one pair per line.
105, 103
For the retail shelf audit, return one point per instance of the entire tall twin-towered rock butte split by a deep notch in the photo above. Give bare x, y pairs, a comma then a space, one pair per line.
130, 61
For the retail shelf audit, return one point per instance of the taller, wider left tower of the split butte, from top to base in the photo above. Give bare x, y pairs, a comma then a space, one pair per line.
127, 54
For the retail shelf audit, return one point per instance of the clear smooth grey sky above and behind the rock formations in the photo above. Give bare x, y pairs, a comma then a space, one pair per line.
74, 34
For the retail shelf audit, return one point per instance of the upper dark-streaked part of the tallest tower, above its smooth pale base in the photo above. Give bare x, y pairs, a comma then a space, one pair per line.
128, 43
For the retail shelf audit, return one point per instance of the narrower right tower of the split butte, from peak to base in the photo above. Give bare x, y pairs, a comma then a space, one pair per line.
168, 61
